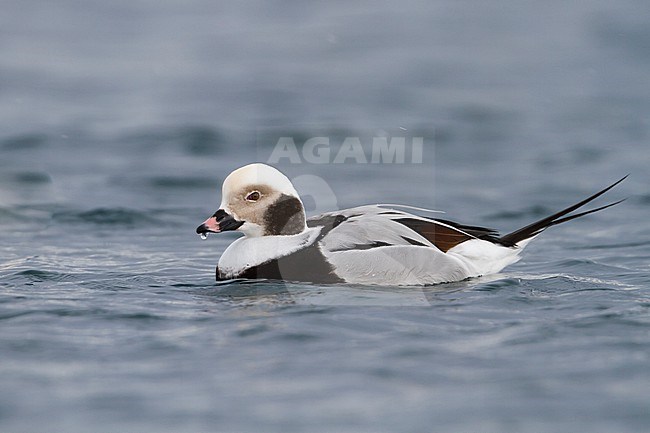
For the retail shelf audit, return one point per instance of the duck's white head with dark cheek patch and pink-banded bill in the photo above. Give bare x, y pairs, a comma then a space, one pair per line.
257, 200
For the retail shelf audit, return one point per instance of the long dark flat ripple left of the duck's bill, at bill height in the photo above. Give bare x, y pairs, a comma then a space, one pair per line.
106, 216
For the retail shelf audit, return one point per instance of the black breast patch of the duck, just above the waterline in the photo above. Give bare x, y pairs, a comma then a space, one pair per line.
306, 265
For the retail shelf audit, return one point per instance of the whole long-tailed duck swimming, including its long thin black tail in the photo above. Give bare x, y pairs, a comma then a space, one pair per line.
372, 244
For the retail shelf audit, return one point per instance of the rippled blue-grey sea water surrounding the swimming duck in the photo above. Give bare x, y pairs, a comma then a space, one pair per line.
119, 120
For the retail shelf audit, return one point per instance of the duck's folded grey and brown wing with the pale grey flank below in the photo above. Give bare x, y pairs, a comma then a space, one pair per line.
372, 245
